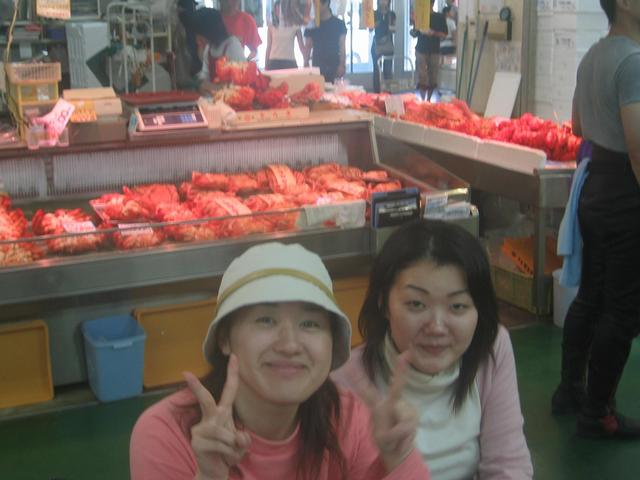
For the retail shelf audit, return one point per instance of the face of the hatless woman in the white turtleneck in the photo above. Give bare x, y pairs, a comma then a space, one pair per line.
431, 312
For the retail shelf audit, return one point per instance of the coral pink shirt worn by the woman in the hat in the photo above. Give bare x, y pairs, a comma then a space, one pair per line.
160, 449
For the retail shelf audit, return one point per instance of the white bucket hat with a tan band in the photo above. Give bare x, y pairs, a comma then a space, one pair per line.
275, 272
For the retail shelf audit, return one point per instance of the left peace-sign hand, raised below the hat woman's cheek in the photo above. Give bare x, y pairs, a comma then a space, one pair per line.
217, 444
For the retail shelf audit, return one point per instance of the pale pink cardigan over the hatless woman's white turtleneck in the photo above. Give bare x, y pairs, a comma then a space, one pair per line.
504, 454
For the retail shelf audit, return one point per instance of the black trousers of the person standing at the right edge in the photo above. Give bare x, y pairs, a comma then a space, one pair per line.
605, 316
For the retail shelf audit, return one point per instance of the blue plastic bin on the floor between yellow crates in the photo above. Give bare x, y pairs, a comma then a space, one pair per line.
114, 349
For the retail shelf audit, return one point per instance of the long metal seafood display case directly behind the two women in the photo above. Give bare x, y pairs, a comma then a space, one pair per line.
65, 290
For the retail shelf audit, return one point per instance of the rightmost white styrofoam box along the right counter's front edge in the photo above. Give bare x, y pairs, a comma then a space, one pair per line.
510, 156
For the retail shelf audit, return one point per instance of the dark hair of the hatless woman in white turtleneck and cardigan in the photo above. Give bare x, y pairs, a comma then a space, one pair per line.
444, 244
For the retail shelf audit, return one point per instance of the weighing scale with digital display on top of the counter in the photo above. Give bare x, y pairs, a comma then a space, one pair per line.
166, 111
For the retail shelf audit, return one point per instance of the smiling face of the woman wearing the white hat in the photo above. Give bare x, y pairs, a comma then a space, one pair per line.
284, 351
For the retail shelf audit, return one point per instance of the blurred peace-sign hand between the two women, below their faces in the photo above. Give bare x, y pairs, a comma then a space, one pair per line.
394, 420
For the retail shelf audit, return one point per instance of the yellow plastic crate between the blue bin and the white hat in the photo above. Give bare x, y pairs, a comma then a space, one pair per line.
174, 341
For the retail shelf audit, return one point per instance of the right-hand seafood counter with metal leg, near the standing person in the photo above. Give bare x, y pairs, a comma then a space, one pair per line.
542, 188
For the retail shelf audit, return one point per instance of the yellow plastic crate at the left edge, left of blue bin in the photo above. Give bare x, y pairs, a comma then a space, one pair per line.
25, 364
